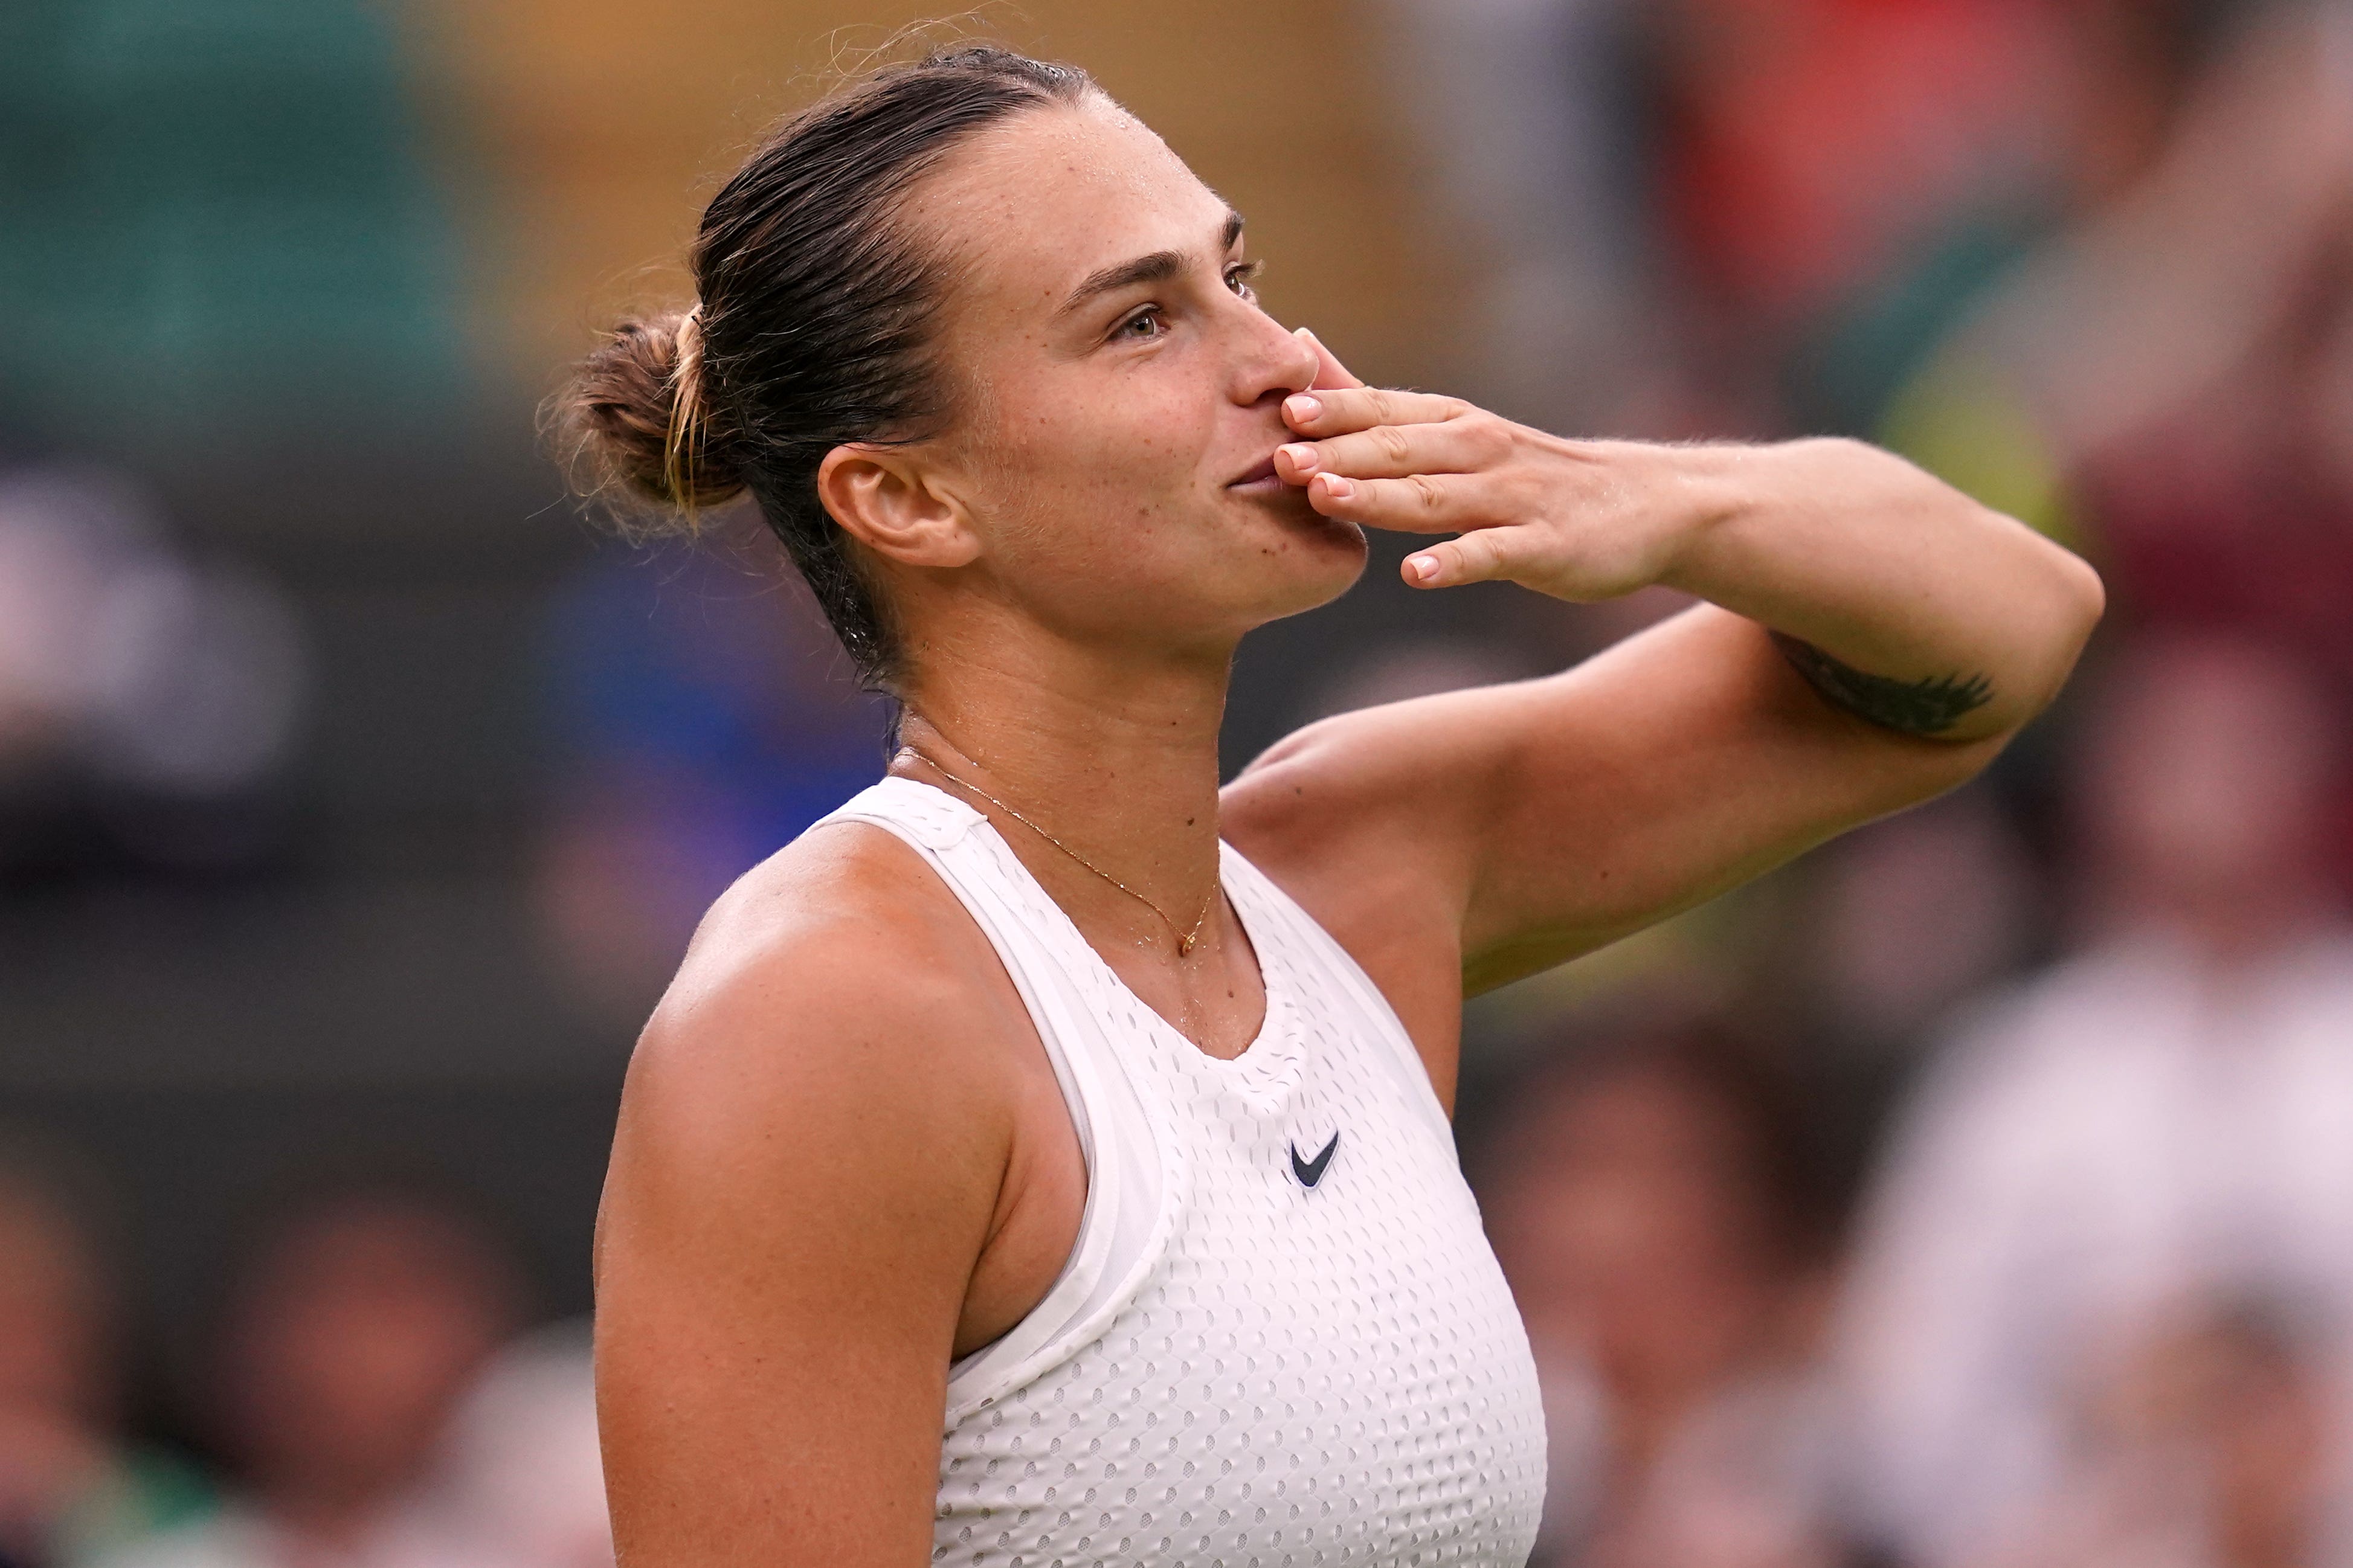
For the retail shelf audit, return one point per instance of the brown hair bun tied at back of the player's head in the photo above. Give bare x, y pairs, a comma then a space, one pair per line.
639, 420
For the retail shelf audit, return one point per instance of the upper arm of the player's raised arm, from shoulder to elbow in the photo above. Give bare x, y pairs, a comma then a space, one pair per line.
1514, 828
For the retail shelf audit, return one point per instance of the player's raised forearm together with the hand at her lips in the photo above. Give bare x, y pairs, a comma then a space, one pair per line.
1898, 597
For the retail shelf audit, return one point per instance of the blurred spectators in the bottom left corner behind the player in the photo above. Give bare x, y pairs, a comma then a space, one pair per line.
359, 1390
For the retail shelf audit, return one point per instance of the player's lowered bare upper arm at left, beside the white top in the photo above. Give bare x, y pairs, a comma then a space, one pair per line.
801, 1183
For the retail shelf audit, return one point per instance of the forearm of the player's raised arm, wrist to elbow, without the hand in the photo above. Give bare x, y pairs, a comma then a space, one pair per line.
1891, 592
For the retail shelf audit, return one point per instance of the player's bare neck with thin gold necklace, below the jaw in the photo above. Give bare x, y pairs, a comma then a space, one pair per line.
1112, 757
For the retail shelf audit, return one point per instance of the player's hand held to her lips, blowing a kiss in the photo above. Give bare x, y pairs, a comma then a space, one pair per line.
1573, 519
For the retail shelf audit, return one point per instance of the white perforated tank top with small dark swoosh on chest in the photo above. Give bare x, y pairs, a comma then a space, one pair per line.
1281, 1338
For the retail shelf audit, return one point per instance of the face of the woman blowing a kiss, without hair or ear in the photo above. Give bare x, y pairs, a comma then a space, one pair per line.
1119, 392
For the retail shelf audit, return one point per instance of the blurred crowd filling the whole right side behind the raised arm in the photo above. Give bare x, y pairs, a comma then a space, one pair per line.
2084, 1291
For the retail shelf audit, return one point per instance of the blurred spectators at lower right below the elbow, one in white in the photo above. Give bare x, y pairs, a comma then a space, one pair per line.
2095, 1301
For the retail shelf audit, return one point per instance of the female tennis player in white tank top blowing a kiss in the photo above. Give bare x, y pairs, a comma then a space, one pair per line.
1046, 1160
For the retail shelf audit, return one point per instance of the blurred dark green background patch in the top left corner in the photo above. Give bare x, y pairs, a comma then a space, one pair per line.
215, 225
